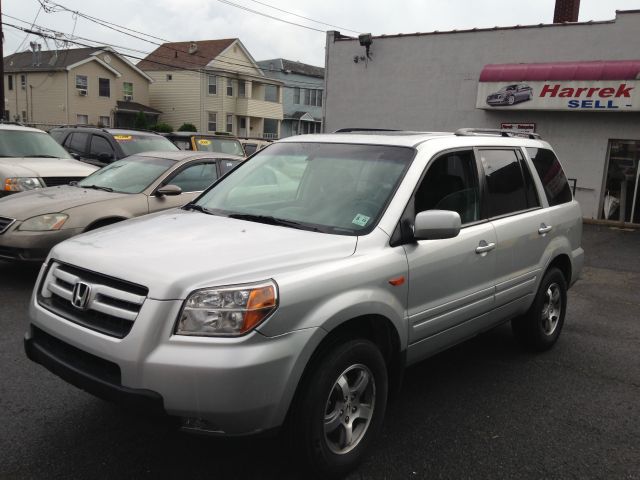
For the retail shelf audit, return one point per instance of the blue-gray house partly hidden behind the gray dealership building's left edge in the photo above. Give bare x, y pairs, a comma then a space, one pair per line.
302, 97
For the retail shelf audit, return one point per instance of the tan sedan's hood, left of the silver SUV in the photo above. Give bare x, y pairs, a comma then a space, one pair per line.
28, 204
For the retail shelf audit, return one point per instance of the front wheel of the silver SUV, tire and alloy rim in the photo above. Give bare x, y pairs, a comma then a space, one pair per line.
322, 417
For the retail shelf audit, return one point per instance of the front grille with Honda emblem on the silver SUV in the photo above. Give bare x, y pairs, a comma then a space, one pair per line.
98, 302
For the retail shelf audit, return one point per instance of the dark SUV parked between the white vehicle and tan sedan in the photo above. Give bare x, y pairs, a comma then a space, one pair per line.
101, 146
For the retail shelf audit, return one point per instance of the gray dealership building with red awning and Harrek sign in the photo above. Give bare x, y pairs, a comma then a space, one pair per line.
577, 84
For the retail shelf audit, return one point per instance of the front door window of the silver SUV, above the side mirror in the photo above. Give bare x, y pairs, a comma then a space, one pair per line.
451, 183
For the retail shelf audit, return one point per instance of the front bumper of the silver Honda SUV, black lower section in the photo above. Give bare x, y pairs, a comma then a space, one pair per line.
234, 386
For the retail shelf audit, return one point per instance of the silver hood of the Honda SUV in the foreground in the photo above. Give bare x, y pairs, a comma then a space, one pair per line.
175, 252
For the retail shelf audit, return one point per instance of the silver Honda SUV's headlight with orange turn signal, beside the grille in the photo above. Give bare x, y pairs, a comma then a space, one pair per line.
227, 311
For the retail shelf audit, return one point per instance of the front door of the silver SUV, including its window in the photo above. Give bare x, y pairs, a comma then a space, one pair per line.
451, 280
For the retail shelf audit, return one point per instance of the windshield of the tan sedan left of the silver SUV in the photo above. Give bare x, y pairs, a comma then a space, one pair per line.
130, 175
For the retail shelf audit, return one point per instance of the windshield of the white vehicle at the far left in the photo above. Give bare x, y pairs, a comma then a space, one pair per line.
21, 143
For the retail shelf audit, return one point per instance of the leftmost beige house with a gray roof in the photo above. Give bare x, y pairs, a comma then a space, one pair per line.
93, 86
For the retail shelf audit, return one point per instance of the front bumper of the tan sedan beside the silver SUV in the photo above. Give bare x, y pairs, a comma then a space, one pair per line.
16, 245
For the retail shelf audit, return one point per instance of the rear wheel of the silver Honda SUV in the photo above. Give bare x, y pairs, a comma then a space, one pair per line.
540, 327
